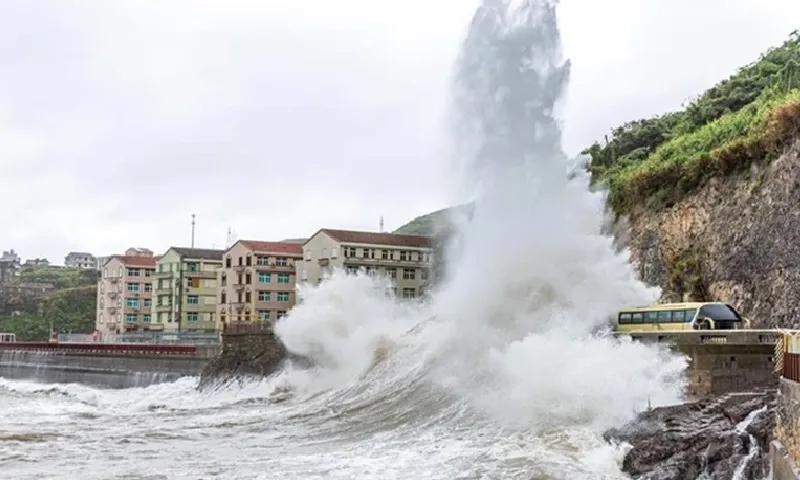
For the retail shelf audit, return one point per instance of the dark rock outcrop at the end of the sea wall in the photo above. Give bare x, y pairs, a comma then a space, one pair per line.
247, 355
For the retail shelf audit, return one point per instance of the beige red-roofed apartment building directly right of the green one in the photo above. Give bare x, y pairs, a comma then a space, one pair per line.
257, 281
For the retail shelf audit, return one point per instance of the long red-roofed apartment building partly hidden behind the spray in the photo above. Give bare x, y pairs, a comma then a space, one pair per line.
405, 259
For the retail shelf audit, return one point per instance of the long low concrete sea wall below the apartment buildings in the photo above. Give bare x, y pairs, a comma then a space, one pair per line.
106, 365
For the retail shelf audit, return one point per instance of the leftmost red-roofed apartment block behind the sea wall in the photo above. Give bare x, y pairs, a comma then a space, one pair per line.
124, 295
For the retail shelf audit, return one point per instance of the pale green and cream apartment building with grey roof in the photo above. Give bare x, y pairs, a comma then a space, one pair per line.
186, 289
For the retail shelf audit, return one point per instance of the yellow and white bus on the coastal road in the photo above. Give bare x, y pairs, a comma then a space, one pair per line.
681, 316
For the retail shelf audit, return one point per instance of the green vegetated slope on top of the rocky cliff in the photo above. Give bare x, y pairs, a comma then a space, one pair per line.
749, 117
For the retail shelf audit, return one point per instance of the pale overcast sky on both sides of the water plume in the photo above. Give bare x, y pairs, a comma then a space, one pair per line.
121, 118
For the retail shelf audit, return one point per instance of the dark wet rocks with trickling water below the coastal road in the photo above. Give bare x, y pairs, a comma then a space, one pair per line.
720, 438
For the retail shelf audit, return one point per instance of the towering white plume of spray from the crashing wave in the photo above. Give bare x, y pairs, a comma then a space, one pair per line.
511, 331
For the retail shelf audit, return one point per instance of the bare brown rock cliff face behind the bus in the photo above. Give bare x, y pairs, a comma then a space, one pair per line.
737, 240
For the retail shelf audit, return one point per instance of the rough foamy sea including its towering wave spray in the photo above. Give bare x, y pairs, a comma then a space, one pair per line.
505, 372
